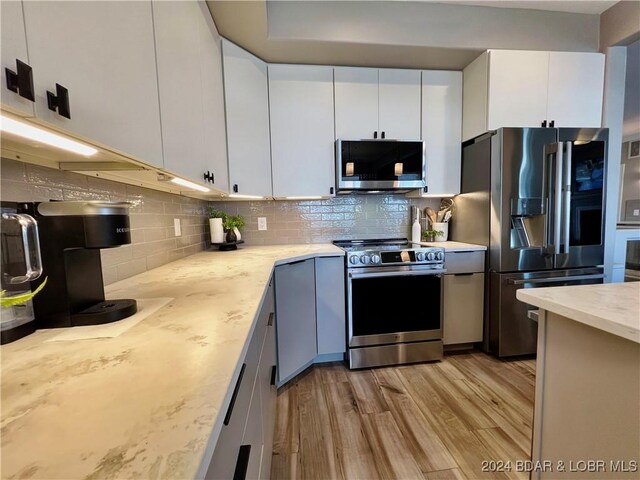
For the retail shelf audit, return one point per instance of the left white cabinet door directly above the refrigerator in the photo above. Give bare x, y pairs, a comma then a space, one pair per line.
517, 89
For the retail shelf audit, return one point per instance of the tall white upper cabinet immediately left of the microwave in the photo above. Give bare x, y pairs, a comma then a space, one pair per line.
302, 130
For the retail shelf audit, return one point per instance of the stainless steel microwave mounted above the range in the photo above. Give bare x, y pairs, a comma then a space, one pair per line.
371, 166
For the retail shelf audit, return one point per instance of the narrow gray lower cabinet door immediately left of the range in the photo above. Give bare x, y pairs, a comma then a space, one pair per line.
330, 305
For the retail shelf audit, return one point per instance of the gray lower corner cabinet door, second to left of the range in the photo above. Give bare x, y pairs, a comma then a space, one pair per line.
296, 313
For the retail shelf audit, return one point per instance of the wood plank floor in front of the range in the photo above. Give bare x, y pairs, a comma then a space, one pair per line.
434, 421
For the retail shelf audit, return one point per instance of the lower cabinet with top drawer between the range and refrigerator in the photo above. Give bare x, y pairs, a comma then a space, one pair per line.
463, 298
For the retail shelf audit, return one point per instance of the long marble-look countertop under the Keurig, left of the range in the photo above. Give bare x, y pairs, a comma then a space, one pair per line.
147, 403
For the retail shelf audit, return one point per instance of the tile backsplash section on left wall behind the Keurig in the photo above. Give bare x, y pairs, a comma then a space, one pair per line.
152, 231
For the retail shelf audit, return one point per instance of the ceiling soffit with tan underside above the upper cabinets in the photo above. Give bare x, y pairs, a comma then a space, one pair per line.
447, 34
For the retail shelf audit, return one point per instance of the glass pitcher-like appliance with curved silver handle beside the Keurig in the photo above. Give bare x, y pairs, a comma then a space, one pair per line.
21, 264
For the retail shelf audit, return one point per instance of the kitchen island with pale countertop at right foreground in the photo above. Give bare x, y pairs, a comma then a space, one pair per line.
587, 404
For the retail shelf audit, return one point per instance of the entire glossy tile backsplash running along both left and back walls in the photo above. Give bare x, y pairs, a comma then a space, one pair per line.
152, 231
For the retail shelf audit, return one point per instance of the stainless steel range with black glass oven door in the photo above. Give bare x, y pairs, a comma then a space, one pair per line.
394, 302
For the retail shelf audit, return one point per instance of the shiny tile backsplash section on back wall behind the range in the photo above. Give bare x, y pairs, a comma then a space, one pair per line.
319, 221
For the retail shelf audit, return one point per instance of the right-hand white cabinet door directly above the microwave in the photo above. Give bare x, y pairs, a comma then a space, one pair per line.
399, 104
